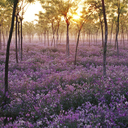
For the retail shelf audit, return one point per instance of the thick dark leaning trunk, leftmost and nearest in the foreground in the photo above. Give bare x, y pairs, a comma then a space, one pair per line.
8, 49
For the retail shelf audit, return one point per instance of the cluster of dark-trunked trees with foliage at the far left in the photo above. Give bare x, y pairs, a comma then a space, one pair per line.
17, 7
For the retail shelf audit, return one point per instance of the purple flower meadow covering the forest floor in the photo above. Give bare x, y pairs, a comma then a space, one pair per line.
46, 90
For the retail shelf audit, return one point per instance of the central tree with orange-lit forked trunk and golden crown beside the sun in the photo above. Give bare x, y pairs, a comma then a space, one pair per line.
62, 8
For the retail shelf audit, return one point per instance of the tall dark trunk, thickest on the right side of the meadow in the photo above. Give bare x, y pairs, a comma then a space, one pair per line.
105, 44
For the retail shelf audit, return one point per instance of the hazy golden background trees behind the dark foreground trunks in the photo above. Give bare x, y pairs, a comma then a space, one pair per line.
49, 23
